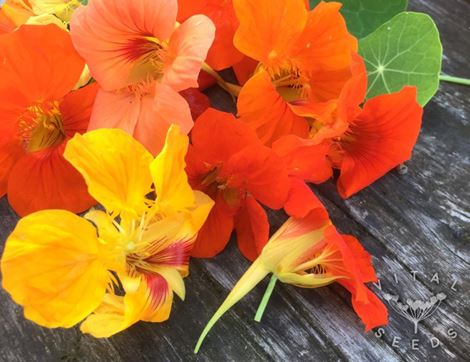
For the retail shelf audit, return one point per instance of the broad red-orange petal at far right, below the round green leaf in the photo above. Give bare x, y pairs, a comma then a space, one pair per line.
383, 136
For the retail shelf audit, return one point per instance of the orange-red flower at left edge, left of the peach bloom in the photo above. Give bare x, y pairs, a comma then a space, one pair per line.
39, 115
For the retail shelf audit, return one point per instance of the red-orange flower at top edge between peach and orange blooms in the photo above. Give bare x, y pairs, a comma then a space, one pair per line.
222, 53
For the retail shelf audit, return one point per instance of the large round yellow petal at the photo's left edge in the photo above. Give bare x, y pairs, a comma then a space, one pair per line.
52, 266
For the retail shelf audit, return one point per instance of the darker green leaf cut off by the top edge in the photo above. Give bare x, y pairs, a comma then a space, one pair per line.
364, 16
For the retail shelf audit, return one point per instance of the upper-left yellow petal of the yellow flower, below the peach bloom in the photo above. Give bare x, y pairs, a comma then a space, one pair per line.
115, 167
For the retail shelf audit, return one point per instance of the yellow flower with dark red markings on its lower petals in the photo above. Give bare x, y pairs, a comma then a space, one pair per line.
58, 265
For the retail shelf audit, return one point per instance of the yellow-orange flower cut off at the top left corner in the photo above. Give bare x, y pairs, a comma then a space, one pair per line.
14, 13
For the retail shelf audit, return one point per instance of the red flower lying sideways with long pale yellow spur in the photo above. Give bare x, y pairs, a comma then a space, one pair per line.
310, 253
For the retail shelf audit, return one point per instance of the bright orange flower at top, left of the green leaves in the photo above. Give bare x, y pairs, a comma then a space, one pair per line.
304, 57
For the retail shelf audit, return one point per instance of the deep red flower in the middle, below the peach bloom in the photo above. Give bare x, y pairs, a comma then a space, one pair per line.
228, 162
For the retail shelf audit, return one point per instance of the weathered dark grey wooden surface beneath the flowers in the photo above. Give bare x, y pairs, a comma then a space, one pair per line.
417, 221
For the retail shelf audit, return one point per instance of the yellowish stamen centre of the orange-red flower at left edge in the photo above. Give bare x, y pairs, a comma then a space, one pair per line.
40, 127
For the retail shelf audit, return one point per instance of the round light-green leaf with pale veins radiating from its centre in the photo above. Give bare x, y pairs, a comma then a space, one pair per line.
404, 51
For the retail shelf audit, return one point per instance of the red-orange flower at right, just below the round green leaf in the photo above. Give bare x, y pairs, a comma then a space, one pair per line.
364, 142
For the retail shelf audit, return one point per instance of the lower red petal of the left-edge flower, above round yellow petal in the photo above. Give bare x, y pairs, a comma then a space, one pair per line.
45, 180
